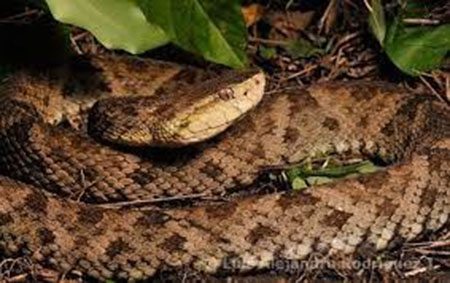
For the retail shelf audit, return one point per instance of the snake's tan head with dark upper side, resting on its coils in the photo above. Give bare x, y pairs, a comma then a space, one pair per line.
194, 114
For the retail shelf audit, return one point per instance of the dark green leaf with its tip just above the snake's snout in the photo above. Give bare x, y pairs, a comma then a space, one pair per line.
214, 29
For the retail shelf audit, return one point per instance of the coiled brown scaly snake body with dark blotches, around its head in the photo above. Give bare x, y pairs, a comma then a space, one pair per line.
54, 179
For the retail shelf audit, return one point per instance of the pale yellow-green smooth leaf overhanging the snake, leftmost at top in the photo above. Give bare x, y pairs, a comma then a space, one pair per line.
117, 24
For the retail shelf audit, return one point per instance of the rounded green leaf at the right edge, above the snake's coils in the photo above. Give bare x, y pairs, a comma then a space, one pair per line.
415, 50
